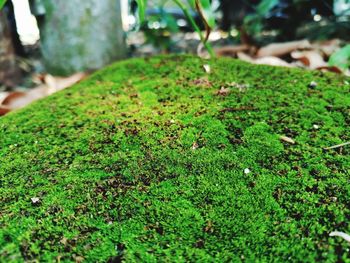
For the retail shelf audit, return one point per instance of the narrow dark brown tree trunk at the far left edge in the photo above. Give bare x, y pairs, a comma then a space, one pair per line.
9, 71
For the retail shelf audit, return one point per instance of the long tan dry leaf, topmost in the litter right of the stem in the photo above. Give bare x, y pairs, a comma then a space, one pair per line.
280, 49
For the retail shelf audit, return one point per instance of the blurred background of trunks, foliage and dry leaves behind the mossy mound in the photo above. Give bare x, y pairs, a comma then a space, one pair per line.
47, 44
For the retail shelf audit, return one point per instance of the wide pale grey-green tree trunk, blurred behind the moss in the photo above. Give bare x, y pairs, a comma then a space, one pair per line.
80, 35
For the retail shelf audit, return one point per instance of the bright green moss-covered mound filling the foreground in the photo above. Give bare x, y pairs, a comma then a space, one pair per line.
156, 160
